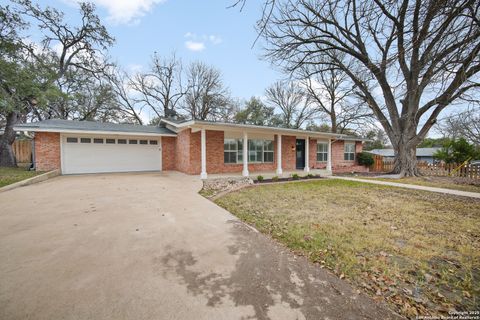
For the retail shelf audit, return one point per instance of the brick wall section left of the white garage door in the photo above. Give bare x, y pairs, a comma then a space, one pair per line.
47, 151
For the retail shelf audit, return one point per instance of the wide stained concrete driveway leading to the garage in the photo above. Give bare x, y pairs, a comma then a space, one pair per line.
147, 246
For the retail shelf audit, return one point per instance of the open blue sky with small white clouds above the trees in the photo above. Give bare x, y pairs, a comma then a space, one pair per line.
194, 30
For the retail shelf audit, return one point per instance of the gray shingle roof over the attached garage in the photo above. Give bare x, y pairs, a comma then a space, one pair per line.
65, 125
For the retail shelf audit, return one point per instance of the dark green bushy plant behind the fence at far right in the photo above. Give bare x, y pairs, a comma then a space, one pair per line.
457, 151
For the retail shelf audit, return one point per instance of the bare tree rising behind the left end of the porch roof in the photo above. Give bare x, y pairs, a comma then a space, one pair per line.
206, 95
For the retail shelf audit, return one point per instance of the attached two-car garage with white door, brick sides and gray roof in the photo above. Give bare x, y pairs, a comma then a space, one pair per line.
77, 147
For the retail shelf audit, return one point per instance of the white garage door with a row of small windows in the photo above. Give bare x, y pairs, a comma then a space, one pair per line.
92, 154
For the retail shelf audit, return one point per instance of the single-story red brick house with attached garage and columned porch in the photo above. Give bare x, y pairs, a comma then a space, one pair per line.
192, 147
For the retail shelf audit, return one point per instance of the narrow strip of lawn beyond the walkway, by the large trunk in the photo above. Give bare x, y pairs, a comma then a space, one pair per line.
455, 183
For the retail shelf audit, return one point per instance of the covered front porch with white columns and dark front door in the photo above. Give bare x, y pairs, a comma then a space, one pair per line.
289, 153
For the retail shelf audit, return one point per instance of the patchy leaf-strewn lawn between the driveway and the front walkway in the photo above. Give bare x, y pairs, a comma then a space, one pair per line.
419, 251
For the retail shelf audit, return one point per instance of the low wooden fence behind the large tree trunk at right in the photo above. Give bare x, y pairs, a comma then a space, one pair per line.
439, 169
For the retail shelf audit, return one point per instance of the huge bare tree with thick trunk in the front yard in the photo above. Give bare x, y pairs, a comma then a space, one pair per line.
409, 59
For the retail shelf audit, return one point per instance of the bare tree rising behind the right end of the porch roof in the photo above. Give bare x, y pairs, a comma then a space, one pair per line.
291, 99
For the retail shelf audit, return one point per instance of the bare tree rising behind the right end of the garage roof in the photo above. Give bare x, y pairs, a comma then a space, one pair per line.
161, 87
